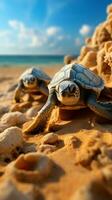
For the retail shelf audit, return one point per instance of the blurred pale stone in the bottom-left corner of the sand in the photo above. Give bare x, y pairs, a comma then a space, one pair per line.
9, 191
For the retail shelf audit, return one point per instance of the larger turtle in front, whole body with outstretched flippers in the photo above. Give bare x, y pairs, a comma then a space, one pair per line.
73, 87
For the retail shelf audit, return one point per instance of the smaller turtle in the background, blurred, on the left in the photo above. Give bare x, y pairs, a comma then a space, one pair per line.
32, 81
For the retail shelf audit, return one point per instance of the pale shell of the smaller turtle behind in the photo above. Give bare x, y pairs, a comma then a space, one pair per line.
38, 73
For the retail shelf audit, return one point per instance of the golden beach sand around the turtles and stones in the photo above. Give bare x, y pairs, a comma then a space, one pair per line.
81, 157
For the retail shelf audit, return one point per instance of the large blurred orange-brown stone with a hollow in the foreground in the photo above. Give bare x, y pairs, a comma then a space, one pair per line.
30, 168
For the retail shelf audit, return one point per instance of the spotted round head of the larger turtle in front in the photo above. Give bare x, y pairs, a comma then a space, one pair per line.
68, 93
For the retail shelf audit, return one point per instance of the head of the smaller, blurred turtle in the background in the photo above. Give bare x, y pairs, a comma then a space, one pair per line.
30, 81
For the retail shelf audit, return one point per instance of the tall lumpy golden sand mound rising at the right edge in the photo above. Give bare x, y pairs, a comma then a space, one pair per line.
96, 54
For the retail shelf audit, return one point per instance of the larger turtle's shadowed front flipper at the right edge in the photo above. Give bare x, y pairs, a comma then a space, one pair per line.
103, 109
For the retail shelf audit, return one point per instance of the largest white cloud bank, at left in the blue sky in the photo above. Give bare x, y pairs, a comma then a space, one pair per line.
32, 38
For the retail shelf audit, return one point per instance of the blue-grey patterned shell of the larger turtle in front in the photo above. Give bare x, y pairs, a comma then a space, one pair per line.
79, 74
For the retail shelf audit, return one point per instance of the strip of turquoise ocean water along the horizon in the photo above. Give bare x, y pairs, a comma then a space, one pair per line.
11, 60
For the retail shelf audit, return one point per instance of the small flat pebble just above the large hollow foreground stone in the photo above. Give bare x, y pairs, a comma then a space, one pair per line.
46, 148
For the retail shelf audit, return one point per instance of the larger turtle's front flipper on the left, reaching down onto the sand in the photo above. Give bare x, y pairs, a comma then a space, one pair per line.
40, 121
